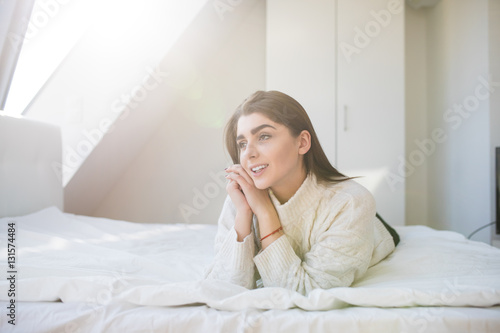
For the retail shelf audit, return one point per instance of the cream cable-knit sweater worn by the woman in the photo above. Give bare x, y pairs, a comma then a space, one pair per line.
331, 237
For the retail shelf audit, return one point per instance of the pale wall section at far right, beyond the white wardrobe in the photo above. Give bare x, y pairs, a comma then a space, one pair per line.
459, 184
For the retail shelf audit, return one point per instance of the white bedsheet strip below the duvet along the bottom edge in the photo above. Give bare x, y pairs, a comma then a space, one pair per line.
54, 317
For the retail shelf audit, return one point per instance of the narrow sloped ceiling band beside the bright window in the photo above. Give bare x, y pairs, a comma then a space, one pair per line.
162, 86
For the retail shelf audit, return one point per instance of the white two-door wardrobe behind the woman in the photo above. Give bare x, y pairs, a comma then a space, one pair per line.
343, 60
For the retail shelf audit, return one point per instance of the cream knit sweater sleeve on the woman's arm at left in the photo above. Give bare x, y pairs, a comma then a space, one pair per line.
233, 261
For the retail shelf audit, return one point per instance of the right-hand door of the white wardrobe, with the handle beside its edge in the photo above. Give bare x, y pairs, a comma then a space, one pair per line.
370, 99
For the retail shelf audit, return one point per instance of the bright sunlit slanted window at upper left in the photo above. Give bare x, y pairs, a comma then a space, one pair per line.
81, 57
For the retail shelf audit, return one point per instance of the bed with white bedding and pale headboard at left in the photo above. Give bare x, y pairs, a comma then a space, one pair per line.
73, 273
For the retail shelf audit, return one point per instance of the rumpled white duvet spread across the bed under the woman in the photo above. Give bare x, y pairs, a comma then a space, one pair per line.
99, 261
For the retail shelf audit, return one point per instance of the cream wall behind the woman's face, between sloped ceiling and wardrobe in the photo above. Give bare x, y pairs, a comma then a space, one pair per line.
179, 174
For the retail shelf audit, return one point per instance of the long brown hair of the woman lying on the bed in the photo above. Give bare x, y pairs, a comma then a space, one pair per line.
285, 110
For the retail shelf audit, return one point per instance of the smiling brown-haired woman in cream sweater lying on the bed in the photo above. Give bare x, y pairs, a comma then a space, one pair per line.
291, 219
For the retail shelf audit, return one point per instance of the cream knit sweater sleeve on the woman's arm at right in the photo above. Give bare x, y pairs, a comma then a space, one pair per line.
341, 246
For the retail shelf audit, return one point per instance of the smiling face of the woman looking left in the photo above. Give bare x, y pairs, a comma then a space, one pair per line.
270, 154
